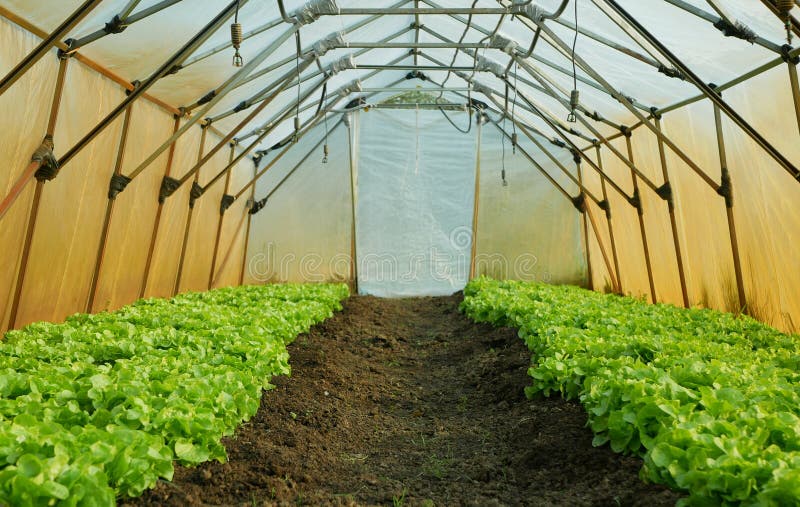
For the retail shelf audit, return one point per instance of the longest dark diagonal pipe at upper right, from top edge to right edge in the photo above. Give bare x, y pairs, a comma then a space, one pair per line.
709, 92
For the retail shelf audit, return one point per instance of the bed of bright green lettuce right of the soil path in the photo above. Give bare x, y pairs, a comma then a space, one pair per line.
710, 400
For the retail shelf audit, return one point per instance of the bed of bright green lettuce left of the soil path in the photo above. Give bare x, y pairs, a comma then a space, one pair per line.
100, 406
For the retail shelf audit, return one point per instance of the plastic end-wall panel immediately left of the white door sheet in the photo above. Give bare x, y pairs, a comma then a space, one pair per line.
303, 234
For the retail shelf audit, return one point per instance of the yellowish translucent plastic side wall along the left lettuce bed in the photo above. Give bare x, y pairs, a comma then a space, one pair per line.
67, 234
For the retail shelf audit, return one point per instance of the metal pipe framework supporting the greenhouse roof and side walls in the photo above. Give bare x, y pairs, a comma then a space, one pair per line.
655, 54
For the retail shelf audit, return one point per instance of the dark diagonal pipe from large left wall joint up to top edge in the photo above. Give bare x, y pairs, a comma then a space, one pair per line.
204, 34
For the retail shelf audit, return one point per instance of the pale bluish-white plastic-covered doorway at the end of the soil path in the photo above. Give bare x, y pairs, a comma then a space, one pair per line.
416, 187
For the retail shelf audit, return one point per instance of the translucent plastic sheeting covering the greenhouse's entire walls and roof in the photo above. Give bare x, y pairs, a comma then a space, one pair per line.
310, 216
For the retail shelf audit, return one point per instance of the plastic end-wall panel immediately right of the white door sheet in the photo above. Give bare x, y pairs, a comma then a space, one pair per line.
527, 229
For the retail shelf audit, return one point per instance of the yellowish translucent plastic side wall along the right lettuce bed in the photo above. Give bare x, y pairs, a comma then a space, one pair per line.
766, 219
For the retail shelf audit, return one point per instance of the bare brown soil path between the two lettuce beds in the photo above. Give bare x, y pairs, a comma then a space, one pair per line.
408, 402
